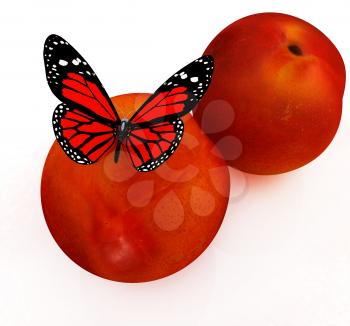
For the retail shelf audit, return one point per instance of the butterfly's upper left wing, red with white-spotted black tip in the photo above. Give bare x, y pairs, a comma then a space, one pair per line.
73, 81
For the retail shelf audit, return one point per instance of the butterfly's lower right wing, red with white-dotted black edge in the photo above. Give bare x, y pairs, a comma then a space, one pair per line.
150, 146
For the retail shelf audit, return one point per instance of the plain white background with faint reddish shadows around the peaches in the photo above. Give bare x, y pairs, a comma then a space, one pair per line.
282, 256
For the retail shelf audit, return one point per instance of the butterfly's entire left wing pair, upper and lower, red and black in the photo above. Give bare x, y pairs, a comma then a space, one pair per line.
86, 121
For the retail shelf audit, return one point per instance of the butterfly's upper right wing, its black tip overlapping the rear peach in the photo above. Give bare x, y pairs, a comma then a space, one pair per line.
179, 94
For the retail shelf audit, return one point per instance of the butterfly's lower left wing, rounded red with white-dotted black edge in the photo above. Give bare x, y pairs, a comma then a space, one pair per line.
82, 138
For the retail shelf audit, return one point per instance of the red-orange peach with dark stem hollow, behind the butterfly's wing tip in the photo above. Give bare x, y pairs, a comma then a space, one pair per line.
275, 100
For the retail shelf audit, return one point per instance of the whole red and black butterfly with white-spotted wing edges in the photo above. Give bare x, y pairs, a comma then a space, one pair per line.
87, 125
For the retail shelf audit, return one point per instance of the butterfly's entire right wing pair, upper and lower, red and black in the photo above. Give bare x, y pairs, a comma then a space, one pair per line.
156, 128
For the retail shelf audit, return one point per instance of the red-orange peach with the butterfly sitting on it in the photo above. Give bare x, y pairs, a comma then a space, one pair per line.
129, 226
